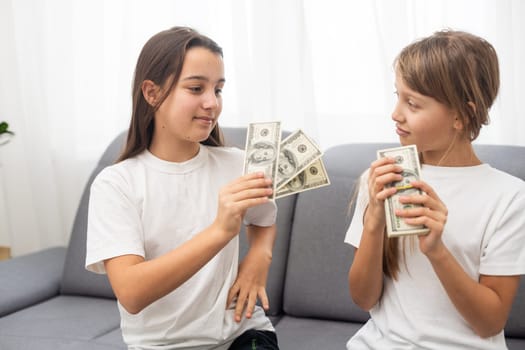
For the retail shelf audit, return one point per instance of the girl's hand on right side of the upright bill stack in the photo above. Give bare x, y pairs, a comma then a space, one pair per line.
433, 214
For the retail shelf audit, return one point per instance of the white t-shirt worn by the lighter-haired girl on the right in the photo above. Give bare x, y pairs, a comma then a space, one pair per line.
485, 231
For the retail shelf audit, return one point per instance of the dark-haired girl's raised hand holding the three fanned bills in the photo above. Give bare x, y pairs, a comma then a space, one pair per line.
236, 197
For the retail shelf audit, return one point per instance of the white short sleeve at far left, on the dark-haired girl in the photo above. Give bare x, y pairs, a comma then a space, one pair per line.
113, 221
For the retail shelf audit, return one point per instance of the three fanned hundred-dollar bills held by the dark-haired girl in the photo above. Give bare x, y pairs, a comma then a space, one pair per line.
294, 164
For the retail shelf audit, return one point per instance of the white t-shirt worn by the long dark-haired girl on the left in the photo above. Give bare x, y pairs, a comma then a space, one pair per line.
147, 206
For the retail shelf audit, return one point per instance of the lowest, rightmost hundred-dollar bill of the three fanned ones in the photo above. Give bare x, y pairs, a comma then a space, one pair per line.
314, 176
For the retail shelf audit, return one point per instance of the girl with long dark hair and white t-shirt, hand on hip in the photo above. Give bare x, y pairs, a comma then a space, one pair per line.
164, 220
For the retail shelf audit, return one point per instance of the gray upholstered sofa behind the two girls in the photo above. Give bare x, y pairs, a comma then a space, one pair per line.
49, 302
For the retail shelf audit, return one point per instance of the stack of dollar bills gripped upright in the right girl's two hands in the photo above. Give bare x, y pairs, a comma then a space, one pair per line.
407, 157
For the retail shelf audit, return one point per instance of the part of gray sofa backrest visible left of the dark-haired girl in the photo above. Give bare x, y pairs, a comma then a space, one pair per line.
76, 280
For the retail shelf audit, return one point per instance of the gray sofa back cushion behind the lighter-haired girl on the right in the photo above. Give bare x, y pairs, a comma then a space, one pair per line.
316, 281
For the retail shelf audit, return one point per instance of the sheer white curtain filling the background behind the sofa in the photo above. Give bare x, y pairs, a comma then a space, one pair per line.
66, 68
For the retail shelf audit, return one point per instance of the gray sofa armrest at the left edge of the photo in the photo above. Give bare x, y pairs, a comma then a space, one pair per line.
29, 279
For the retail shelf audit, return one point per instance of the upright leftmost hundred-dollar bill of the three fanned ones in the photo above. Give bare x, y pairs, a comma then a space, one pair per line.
262, 150
